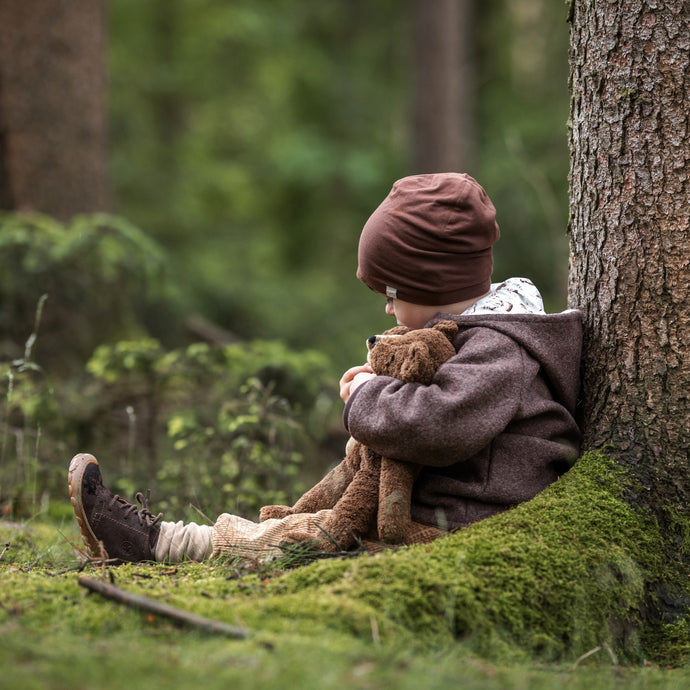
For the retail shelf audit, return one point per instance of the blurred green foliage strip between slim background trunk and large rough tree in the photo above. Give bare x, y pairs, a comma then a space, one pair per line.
523, 163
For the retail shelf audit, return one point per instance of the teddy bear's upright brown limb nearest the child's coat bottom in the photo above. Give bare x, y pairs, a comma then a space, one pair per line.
395, 497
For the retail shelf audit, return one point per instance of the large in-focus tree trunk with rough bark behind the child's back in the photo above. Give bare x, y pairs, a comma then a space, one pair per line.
629, 220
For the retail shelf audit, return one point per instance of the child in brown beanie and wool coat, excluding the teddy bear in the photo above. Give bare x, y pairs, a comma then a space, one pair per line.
494, 428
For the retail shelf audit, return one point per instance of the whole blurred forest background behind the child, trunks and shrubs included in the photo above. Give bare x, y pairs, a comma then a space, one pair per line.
200, 276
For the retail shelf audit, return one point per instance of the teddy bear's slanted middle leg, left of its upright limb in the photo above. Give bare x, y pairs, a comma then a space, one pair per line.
354, 514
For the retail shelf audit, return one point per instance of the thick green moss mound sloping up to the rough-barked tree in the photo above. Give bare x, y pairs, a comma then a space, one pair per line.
553, 578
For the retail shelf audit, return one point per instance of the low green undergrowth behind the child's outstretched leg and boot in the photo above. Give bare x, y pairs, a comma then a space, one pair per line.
230, 428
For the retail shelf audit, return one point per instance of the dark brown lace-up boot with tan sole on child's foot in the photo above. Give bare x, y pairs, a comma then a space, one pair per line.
110, 526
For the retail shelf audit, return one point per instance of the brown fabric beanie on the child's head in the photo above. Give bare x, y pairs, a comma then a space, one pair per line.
429, 242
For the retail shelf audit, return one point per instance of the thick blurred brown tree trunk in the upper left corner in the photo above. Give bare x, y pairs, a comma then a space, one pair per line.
52, 122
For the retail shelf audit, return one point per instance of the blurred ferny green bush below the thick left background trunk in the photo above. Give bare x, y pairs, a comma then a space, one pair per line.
96, 271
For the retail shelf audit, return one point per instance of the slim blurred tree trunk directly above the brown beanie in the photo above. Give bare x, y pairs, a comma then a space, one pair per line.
444, 85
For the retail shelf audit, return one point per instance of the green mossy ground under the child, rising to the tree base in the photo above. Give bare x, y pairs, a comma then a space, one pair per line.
511, 602
